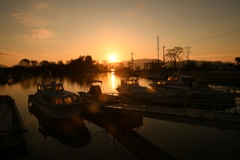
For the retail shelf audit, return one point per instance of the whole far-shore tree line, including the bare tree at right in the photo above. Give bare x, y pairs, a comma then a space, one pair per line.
178, 56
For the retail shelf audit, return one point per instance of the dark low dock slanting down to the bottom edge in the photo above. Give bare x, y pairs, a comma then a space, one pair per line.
121, 134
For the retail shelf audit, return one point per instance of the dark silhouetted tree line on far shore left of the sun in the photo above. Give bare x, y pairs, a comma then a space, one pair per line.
82, 64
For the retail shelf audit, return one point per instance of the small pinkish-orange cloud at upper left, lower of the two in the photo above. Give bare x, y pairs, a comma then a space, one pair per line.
39, 34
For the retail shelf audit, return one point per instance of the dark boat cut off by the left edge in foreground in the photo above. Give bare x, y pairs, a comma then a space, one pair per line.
12, 130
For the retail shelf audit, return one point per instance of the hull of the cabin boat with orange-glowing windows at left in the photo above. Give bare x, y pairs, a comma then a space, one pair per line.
63, 111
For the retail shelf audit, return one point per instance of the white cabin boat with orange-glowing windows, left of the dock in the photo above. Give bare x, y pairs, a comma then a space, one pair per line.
54, 101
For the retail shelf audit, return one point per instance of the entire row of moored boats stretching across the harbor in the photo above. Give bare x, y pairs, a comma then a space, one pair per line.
177, 91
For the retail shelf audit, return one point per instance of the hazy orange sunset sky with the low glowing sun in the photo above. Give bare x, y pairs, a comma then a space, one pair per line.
60, 30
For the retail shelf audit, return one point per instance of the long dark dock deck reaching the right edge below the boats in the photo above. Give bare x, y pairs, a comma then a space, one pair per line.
215, 119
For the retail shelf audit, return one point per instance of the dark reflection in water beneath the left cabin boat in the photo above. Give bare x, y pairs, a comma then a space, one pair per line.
70, 132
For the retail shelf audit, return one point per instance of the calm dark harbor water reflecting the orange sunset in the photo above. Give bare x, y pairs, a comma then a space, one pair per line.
83, 139
